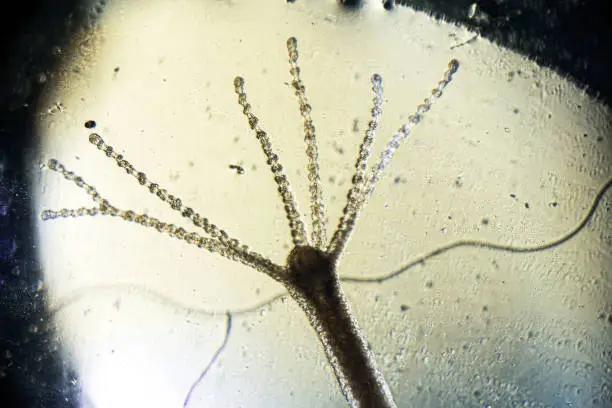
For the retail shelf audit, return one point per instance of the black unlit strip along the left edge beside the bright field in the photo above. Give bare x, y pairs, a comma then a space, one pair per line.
33, 372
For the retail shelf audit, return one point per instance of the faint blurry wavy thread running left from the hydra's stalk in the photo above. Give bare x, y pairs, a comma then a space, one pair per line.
159, 297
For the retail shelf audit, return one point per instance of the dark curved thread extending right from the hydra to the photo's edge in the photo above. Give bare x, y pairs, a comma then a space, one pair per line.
488, 245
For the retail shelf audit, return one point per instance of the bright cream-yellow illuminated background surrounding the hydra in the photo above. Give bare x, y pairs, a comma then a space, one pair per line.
491, 223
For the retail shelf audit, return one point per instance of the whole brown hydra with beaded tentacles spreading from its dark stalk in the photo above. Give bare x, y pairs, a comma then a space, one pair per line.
310, 274
